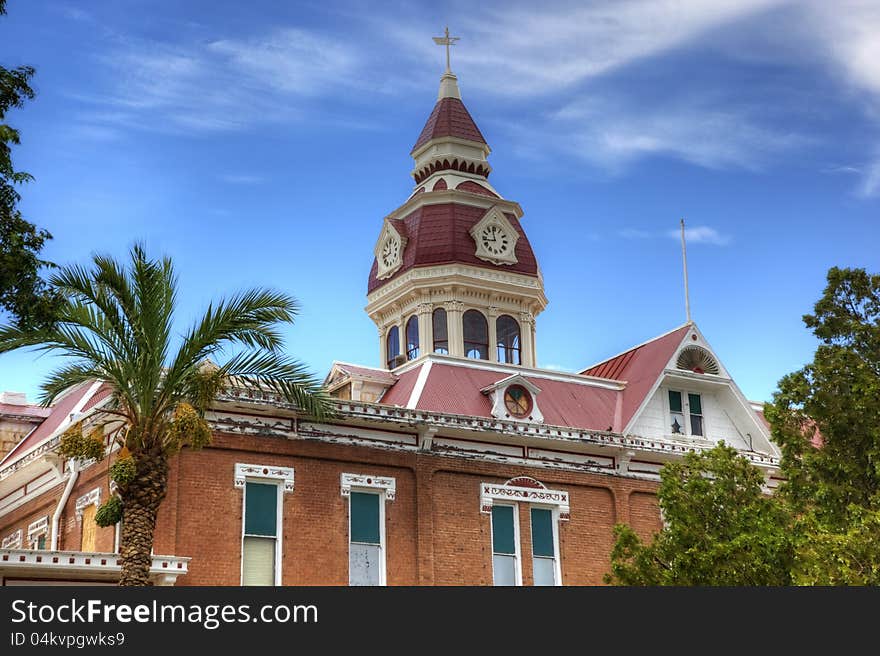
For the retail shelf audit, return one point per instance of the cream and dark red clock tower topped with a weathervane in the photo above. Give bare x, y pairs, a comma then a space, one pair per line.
454, 272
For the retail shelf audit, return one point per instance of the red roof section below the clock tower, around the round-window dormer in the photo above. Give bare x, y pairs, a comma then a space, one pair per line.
455, 389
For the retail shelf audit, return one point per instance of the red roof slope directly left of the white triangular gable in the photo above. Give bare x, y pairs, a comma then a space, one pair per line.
640, 367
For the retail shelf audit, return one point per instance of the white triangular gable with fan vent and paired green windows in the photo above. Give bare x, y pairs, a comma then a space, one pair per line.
694, 398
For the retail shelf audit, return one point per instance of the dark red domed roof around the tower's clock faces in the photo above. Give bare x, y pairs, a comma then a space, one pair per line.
439, 234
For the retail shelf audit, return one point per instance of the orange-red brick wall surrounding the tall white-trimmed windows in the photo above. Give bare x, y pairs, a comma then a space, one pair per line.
435, 532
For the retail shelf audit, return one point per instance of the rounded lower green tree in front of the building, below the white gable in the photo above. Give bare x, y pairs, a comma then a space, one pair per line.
719, 528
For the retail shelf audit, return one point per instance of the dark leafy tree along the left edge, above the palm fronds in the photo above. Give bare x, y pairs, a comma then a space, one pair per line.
23, 293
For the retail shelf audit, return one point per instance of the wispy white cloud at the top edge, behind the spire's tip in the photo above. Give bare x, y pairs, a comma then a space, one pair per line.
528, 49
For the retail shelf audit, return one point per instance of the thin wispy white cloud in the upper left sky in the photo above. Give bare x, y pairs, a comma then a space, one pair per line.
222, 85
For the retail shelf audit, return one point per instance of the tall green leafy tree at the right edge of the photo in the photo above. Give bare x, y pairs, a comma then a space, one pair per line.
826, 419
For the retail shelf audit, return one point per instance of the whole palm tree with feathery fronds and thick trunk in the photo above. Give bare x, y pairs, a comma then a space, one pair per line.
115, 325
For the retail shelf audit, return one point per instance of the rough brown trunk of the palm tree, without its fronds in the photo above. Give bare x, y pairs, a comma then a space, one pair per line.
140, 504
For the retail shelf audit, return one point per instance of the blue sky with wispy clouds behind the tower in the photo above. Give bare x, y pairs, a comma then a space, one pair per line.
262, 143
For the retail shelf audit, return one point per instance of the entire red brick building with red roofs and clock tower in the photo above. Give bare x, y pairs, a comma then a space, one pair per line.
457, 461
